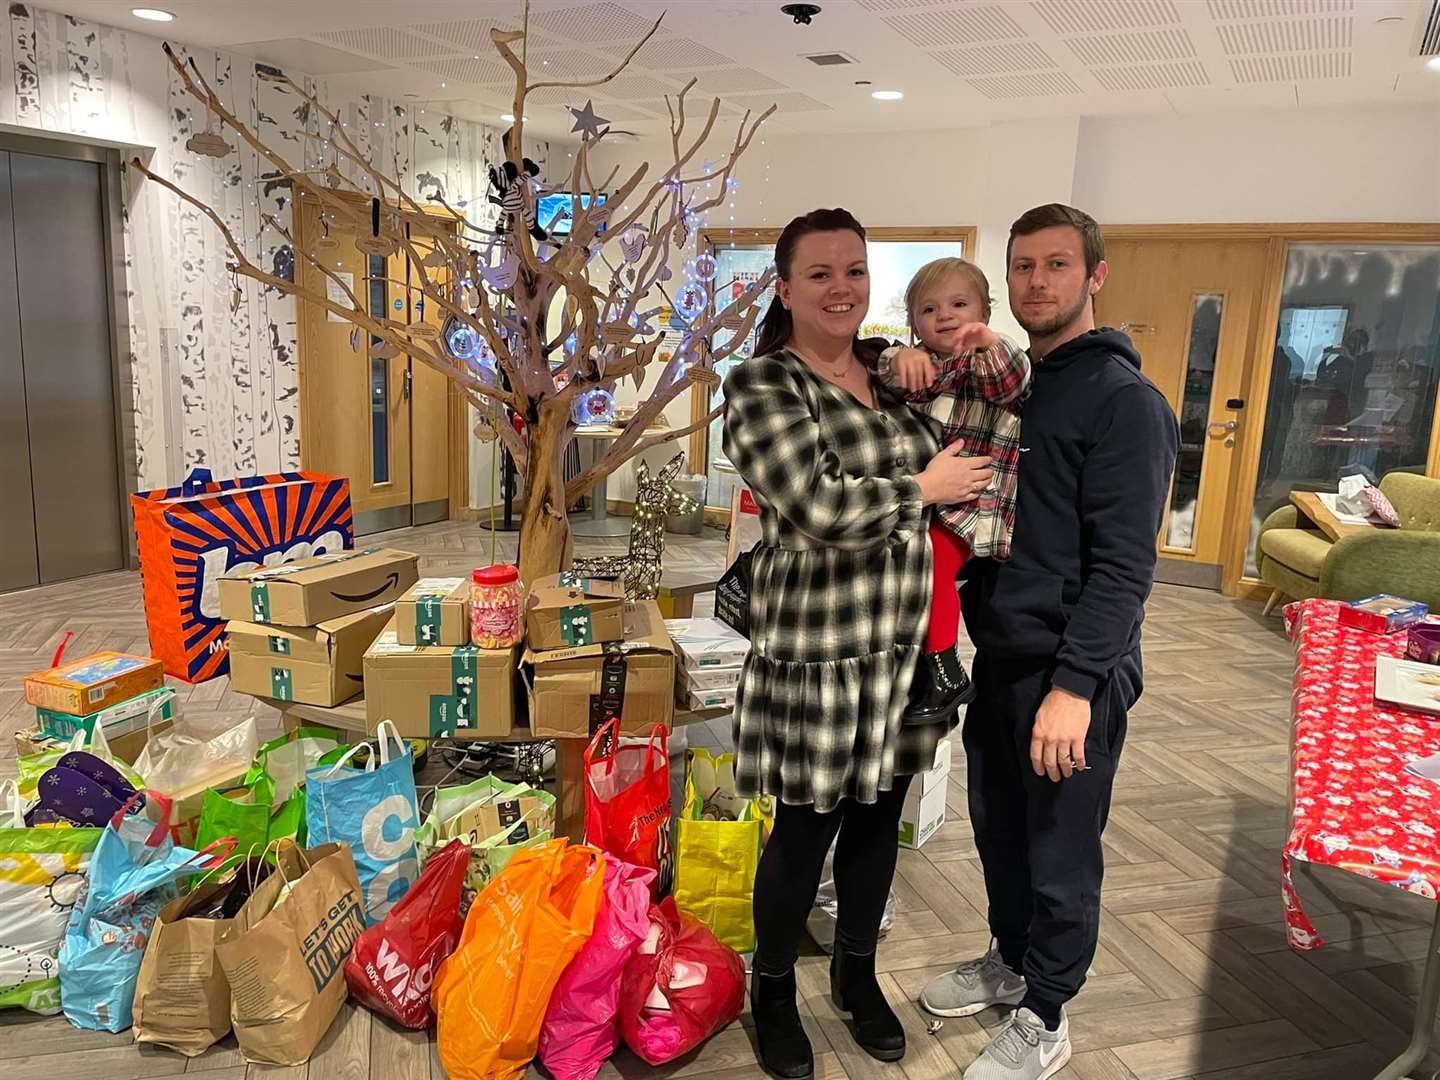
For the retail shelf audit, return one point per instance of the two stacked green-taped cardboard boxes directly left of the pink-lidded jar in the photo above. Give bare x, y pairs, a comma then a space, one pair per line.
426, 678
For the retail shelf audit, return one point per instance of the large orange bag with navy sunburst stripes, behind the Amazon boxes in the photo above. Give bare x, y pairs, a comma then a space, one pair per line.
195, 534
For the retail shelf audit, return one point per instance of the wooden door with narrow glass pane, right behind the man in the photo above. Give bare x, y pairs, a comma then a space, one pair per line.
1193, 310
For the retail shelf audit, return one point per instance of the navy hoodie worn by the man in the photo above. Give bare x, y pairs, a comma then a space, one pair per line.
1098, 449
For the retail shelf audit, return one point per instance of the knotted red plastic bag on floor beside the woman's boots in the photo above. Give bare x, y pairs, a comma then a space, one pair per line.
680, 987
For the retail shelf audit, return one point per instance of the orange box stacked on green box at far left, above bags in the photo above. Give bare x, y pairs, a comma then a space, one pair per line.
120, 693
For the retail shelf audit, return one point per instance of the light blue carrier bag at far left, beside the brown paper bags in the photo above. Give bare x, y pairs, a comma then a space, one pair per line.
133, 875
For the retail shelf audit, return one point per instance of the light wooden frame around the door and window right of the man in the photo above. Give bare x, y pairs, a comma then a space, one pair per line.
1264, 333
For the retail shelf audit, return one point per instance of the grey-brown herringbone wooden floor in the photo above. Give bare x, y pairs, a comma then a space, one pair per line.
1193, 978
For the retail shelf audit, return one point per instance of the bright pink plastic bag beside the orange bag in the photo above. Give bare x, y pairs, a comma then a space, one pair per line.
581, 1027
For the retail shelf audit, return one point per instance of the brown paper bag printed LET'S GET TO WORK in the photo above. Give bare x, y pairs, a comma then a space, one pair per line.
287, 951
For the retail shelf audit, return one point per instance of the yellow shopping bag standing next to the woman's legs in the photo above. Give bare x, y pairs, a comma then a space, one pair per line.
718, 850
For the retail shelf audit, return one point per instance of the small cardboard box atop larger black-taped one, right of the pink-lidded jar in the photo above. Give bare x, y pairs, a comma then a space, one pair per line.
591, 656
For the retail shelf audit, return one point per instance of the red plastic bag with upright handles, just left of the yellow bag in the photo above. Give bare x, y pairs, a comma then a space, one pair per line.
627, 803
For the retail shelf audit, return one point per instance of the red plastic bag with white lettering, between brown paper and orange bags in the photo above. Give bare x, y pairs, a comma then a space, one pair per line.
395, 961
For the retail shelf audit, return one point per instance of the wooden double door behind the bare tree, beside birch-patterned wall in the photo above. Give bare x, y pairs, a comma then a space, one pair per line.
381, 421
